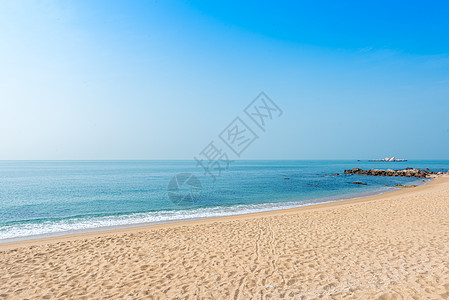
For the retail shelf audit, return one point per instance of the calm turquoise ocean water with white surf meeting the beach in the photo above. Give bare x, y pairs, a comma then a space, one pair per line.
47, 198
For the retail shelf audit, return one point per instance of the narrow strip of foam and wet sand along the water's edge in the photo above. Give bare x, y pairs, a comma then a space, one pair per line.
41, 239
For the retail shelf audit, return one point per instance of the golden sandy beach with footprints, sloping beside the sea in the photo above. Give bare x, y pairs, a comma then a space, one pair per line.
392, 246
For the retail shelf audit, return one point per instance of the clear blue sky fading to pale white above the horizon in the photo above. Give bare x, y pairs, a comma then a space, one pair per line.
161, 79
